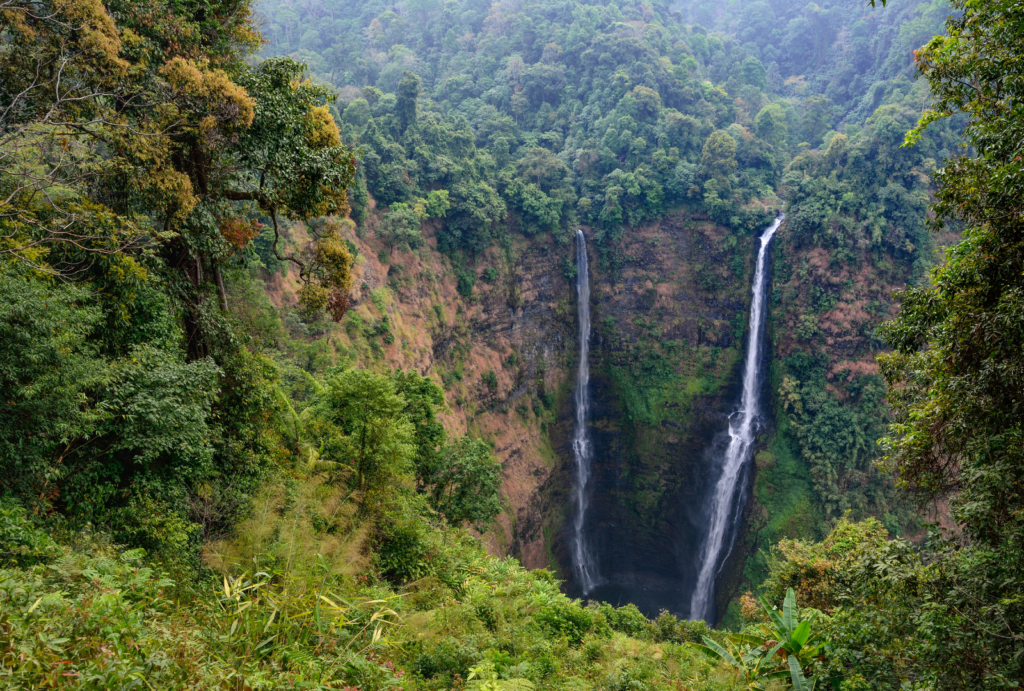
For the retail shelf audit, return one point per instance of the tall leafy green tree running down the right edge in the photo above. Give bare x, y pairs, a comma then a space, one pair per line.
957, 370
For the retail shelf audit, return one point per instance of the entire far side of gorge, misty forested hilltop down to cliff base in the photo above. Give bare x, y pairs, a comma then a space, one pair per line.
492, 133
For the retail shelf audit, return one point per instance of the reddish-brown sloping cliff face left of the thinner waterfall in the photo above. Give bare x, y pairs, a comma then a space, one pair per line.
503, 356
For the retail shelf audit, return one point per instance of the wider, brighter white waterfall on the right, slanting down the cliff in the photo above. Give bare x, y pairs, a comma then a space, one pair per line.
743, 427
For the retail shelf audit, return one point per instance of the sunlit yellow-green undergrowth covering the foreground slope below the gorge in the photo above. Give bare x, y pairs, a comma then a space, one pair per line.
297, 599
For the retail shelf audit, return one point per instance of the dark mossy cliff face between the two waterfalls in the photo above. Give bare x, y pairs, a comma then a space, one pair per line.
667, 352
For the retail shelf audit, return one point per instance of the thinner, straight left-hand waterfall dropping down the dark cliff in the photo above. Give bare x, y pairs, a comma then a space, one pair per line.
583, 559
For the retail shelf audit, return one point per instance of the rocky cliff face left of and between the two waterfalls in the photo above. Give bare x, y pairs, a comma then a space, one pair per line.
669, 315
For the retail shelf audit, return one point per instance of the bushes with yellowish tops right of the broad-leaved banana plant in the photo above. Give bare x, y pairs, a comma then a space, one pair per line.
894, 618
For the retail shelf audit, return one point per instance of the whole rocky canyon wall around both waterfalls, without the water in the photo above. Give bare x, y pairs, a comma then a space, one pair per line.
669, 315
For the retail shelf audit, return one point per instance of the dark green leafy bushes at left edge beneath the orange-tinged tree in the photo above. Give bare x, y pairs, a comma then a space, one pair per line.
122, 441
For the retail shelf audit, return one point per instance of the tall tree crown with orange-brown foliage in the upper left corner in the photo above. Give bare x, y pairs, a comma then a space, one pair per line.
145, 125
